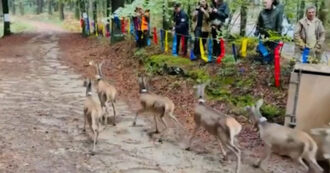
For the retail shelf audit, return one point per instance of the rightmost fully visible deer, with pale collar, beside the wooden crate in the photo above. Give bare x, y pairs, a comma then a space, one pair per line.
296, 144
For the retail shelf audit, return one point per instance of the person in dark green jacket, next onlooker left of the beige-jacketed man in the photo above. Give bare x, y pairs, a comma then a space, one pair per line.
270, 20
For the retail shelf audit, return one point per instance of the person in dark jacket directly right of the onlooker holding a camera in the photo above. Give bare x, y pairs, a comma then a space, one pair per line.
219, 13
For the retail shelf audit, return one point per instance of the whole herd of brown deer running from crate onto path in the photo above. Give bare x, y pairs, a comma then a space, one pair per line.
278, 139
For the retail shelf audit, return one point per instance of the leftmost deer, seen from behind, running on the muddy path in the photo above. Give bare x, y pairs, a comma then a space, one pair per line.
93, 113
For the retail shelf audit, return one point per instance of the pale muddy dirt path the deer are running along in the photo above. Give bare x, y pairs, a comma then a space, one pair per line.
41, 122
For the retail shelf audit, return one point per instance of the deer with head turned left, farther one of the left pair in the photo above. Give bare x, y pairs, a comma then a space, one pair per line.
106, 92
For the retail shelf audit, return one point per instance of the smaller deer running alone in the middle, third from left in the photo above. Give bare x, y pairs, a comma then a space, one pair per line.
160, 106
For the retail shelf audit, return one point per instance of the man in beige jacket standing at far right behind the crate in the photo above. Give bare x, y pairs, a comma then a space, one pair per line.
309, 33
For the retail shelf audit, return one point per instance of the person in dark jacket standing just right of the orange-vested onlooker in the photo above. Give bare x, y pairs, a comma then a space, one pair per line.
181, 27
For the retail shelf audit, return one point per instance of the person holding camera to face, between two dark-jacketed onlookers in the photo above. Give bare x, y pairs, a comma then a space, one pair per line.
201, 25
